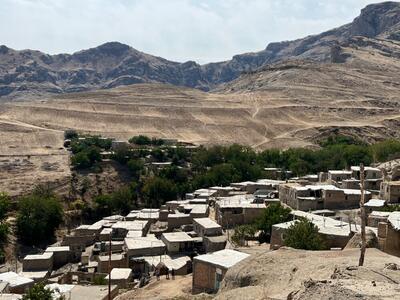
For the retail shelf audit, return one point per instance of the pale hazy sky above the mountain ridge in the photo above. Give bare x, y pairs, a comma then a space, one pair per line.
180, 30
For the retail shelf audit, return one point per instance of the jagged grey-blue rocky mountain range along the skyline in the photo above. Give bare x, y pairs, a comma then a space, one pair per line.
28, 72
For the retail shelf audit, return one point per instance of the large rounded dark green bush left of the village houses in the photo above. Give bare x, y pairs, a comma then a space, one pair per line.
38, 217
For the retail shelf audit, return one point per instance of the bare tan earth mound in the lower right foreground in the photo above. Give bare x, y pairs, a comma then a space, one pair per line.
297, 274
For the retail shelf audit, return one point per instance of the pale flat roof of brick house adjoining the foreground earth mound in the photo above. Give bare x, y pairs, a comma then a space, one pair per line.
226, 258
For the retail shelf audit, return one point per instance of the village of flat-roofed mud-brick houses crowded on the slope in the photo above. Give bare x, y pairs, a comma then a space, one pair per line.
193, 236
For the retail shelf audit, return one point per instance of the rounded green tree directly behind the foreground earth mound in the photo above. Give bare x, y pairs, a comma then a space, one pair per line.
303, 234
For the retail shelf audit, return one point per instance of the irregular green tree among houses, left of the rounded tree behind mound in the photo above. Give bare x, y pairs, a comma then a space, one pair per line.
273, 214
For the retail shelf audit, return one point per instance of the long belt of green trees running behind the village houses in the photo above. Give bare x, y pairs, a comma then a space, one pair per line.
215, 166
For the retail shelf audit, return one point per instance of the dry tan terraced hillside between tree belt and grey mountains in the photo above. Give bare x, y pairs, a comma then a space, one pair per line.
294, 102
